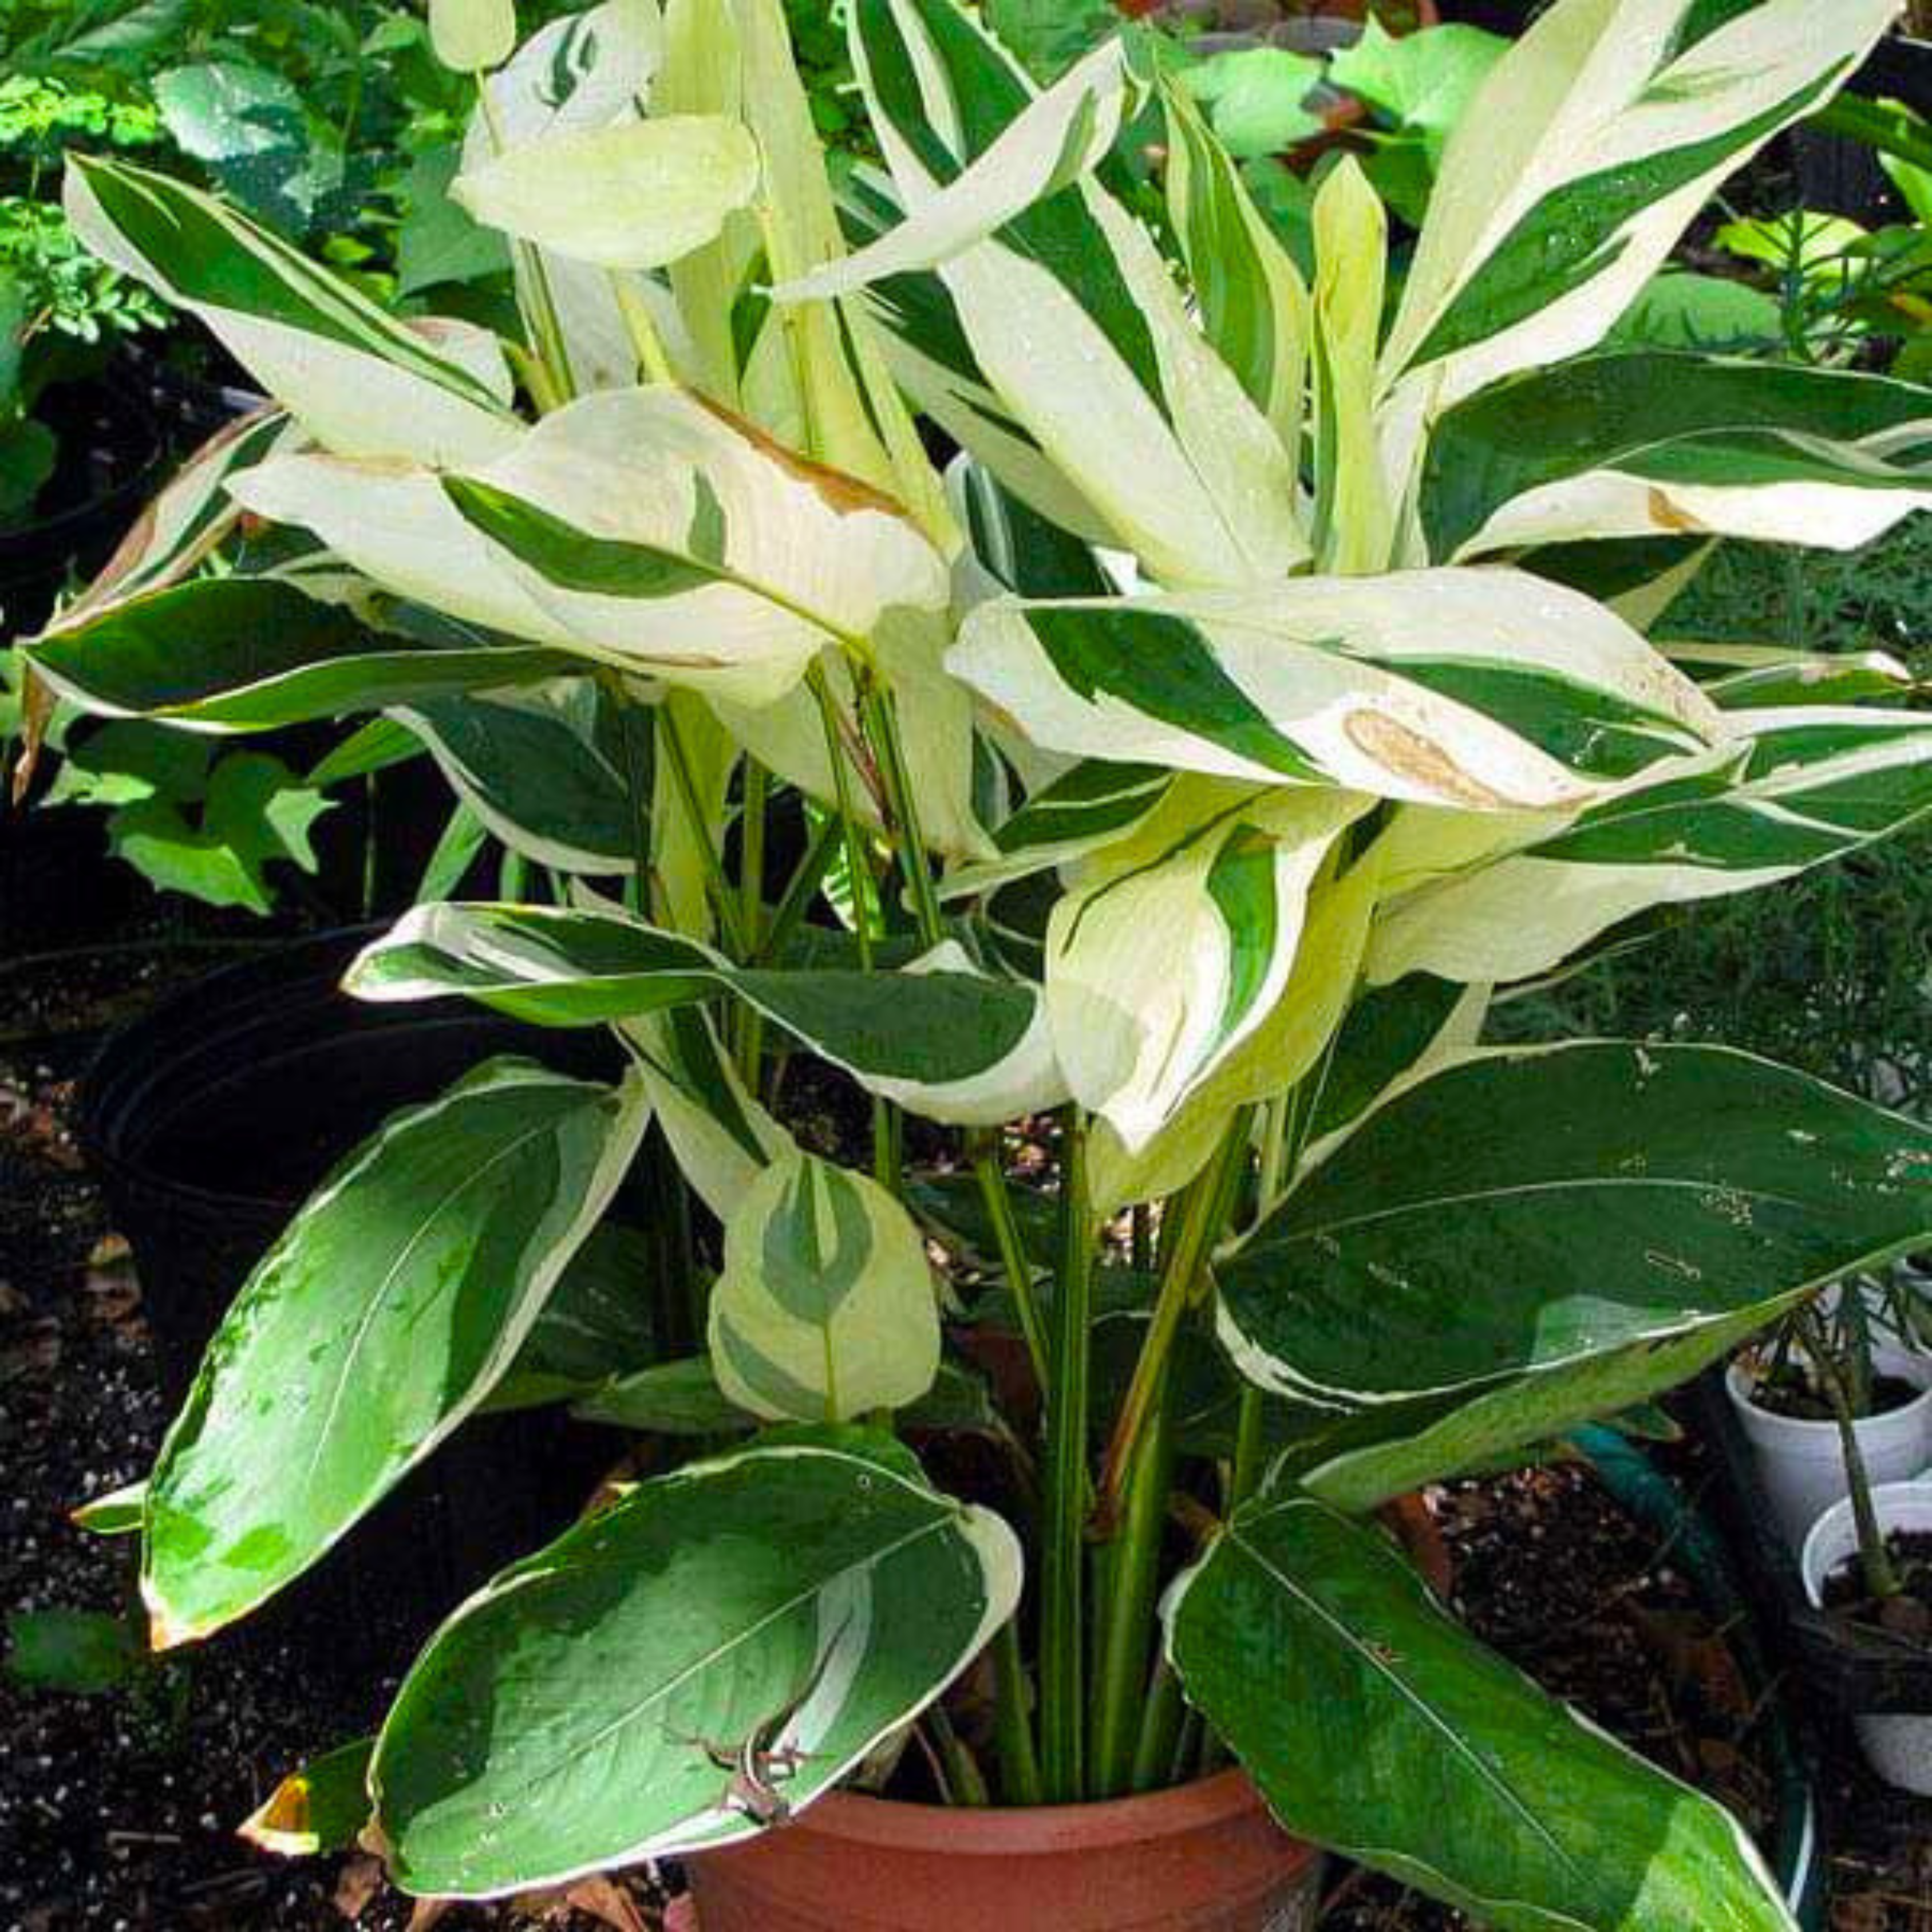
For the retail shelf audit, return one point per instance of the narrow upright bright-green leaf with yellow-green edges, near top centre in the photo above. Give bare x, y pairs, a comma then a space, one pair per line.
1253, 300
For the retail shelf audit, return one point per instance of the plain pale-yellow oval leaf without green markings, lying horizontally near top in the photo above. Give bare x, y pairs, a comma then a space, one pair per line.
633, 196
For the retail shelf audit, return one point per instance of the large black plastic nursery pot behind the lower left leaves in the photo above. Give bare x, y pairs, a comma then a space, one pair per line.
208, 1123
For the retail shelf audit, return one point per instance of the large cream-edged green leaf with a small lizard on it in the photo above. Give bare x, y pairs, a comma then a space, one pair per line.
812, 1595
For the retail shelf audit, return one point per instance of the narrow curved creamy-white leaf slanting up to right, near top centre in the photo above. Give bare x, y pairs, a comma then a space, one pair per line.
1056, 140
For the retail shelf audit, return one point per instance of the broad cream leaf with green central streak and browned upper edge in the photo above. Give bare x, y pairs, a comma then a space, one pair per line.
642, 528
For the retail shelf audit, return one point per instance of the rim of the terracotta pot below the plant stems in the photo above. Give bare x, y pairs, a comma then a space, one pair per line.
1006, 1833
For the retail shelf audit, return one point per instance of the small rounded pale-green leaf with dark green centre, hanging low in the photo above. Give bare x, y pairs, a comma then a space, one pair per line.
826, 1309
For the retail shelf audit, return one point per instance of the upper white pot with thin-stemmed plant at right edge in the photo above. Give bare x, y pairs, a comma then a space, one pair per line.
1846, 1377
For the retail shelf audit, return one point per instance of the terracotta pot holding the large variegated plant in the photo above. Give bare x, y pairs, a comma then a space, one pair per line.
1201, 1860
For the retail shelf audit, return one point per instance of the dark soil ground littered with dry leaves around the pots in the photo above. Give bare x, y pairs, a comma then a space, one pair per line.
119, 1811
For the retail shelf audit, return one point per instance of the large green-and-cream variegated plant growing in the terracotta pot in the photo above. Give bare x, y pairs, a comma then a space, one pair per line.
1259, 689
